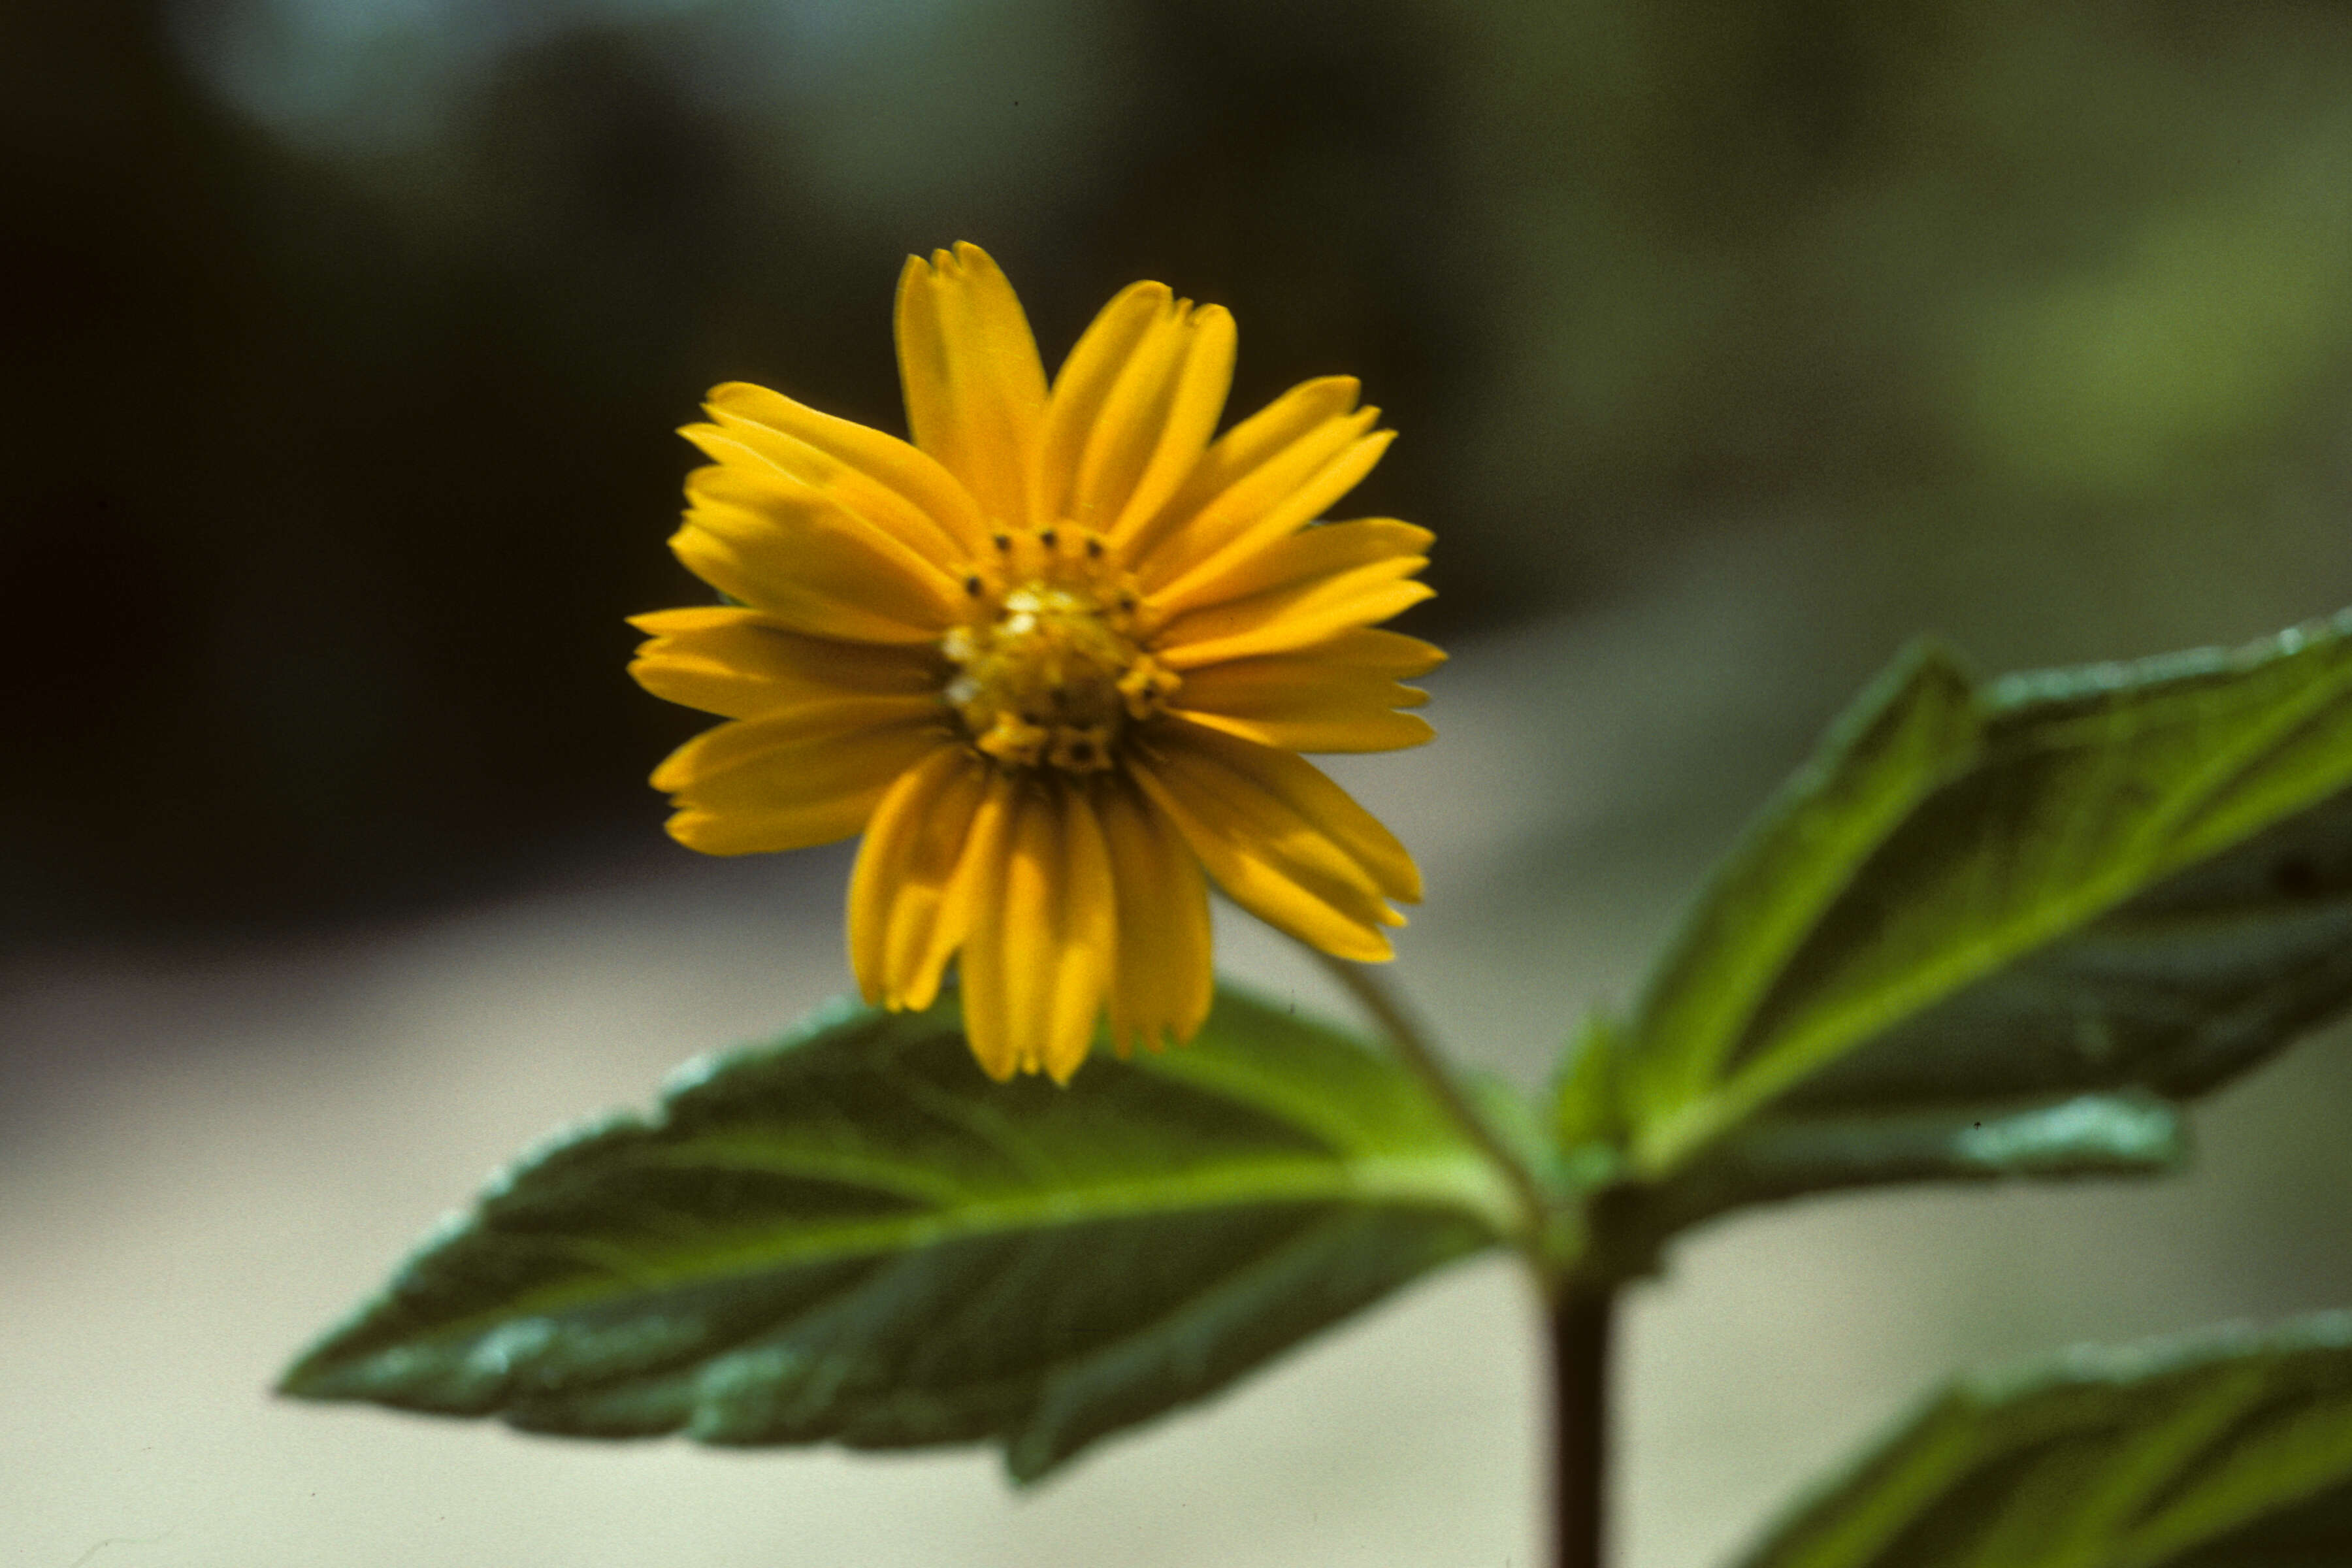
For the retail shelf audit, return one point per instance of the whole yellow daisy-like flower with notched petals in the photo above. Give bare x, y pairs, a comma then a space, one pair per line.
1055, 659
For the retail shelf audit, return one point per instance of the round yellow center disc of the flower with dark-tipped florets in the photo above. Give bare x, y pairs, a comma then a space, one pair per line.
1050, 669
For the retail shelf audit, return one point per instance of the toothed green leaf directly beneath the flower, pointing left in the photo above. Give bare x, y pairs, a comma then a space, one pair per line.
853, 1235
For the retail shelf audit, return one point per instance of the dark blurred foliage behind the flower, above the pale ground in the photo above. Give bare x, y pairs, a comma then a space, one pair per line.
347, 337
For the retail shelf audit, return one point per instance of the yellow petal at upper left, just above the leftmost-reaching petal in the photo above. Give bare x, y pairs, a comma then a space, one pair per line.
813, 568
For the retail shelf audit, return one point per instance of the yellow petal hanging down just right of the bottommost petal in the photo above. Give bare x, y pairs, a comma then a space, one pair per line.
1165, 974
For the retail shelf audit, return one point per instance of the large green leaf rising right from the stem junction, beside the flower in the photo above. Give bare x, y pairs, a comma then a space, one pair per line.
2127, 878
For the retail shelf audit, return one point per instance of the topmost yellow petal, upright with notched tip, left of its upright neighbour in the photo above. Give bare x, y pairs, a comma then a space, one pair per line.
975, 387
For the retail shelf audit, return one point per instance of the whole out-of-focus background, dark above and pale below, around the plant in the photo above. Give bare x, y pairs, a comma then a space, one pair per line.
1728, 344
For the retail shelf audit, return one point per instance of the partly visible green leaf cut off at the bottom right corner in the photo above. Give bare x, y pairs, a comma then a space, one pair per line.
2226, 1452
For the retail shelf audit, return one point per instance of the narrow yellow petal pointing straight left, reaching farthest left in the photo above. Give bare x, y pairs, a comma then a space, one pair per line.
737, 664
